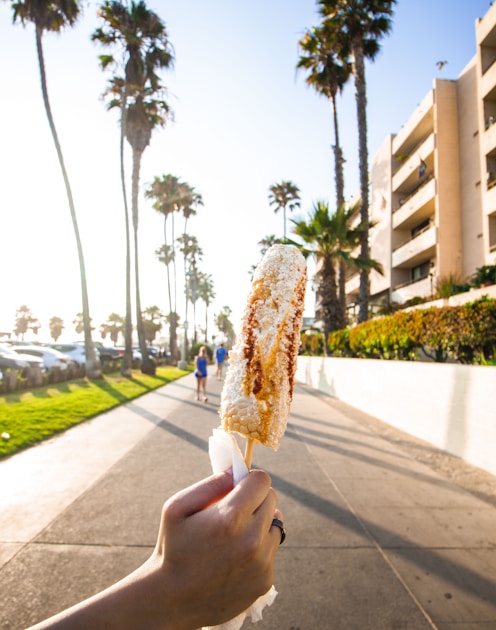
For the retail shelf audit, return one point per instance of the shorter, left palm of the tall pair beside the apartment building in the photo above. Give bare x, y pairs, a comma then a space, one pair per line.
327, 74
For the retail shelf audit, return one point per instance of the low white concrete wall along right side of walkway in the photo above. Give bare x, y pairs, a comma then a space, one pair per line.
450, 406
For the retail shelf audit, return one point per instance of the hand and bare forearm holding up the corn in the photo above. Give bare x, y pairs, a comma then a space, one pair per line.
214, 557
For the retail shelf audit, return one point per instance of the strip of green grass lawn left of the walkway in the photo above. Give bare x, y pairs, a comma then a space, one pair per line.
32, 416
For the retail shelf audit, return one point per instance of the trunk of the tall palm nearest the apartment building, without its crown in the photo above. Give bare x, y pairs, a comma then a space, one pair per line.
361, 101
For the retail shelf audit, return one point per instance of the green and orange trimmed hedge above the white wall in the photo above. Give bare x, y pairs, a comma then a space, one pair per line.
466, 334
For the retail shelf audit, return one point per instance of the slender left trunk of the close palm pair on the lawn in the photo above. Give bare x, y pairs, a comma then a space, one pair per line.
127, 361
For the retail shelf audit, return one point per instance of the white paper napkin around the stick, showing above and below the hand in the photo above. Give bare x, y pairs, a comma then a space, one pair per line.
224, 454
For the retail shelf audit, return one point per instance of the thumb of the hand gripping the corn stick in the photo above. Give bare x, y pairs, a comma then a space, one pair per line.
198, 496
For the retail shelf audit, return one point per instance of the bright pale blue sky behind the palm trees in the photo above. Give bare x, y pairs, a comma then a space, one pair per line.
244, 119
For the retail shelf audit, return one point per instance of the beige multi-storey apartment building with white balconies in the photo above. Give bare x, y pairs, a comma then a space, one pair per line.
433, 185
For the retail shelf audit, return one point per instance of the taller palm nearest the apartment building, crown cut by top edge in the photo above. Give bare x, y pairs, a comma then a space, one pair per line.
357, 26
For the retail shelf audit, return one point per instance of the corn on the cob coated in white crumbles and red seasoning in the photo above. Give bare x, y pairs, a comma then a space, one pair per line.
258, 388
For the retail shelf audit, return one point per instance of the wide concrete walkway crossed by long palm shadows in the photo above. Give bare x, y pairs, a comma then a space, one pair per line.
376, 540
